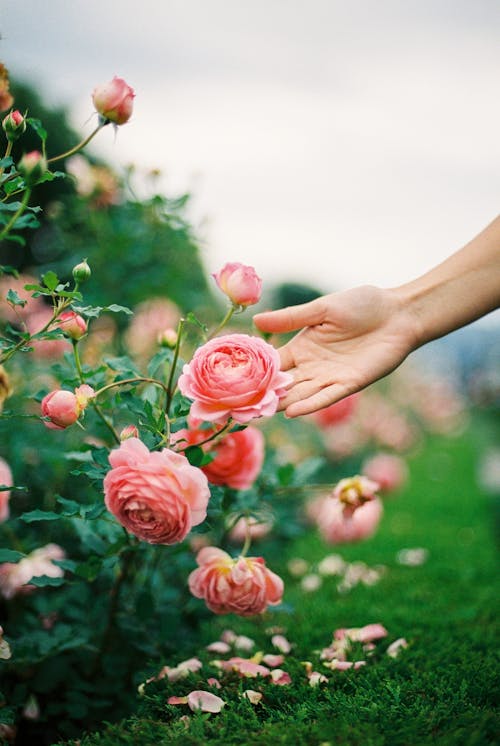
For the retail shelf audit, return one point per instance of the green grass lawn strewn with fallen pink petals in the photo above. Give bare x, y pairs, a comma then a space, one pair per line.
442, 689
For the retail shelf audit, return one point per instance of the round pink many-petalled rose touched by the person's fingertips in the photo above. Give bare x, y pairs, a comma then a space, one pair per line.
234, 376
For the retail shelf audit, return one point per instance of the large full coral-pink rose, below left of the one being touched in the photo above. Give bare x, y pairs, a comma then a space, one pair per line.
157, 496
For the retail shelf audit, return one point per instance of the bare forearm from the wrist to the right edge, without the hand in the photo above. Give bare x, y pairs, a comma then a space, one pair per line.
461, 289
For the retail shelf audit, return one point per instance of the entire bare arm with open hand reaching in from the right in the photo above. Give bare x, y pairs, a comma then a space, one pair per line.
350, 339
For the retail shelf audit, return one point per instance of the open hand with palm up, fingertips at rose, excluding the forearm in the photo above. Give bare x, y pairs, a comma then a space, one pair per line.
347, 341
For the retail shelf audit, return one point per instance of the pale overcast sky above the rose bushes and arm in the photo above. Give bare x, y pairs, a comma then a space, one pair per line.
333, 142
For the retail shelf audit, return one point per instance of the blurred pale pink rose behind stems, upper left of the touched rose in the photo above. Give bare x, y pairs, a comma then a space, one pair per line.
149, 321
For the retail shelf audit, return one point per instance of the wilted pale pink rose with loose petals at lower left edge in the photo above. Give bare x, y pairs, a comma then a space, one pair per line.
15, 577
